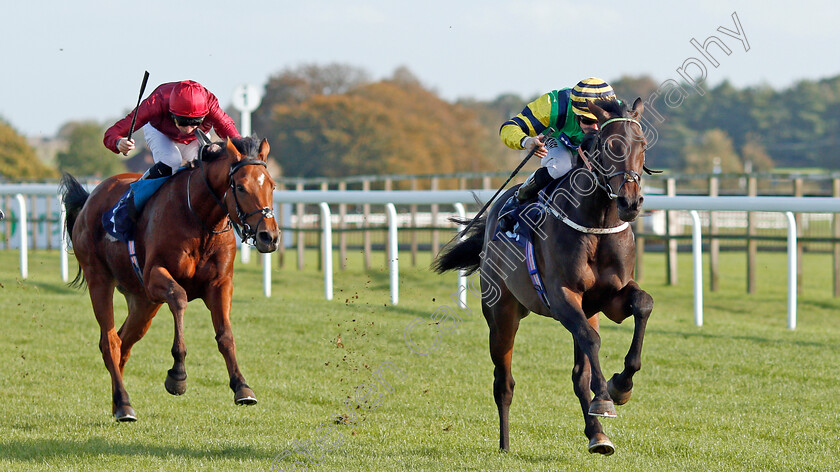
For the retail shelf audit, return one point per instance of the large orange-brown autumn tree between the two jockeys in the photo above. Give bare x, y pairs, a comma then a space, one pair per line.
390, 126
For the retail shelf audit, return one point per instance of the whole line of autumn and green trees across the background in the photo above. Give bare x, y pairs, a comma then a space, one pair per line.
333, 121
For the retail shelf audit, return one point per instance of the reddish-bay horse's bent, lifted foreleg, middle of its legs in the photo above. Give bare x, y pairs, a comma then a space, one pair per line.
162, 287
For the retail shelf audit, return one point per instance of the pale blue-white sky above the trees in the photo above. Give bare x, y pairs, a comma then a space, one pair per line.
84, 59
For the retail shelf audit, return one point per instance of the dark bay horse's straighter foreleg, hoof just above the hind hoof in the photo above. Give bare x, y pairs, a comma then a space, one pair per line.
568, 311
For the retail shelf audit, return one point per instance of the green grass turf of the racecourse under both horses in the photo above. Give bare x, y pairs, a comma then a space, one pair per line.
740, 393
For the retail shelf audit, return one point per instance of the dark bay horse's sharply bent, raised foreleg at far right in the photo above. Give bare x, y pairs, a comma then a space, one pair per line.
631, 300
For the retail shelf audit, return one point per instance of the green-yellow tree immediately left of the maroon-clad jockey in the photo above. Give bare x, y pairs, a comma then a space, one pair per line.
85, 154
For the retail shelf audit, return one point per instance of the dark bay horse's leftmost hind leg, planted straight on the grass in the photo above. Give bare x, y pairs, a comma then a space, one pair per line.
503, 320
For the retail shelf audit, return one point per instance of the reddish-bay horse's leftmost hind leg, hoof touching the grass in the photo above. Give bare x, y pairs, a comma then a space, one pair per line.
102, 298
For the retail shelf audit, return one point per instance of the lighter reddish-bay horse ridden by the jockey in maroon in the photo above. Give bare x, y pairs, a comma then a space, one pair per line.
185, 250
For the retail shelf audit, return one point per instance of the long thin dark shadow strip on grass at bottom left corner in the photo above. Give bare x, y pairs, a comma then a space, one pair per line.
41, 449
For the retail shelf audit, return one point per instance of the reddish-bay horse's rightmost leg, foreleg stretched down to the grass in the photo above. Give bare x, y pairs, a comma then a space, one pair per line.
219, 303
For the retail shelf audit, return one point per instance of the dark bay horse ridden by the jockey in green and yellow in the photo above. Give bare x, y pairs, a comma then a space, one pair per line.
585, 252
